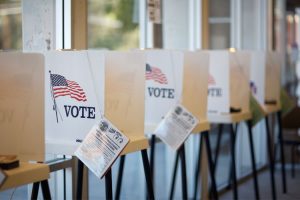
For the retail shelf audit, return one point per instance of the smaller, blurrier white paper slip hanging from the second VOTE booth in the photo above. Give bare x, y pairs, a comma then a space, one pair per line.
176, 126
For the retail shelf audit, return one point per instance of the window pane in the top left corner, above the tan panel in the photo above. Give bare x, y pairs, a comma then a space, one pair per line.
10, 24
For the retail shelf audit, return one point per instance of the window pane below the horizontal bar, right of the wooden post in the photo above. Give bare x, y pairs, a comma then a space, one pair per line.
219, 36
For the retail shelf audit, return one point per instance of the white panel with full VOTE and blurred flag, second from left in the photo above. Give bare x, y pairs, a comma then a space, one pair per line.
163, 72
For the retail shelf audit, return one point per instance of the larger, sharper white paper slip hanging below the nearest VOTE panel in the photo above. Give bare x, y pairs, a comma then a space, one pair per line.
101, 147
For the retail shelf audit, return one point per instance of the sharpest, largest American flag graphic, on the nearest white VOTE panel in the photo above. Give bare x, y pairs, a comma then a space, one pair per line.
63, 87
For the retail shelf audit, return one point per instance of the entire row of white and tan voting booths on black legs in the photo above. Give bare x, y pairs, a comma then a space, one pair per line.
49, 103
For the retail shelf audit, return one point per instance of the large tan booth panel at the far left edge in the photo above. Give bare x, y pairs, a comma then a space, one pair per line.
22, 105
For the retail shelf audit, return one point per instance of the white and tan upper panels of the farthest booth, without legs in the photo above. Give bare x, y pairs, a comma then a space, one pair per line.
265, 77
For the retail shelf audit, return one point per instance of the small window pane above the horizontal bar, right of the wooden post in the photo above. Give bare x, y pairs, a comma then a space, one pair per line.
219, 8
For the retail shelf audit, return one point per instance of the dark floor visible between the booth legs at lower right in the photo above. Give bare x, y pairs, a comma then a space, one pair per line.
246, 191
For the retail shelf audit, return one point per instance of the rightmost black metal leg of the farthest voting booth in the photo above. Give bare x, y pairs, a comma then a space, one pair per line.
282, 157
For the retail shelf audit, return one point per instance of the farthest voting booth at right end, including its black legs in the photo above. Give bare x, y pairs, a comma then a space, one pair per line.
265, 87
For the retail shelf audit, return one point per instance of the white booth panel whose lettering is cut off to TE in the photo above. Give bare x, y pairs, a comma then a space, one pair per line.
218, 82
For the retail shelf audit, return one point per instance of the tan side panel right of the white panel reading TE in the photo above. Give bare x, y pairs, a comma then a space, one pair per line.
239, 80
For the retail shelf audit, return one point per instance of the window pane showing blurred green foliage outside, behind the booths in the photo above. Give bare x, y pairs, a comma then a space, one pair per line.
113, 24
